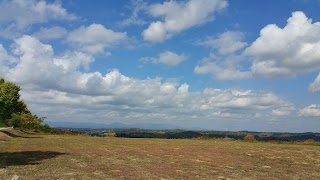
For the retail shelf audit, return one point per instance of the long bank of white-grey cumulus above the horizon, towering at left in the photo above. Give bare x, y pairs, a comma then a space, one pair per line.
58, 82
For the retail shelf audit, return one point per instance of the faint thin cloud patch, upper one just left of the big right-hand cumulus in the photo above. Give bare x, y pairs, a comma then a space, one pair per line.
226, 43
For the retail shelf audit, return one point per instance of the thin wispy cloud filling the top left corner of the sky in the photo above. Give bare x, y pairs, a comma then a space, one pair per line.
16, 15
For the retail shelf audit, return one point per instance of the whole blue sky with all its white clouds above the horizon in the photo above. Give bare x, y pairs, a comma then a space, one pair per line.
213, 64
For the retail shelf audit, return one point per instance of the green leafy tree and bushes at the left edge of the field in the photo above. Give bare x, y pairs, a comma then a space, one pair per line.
13, 111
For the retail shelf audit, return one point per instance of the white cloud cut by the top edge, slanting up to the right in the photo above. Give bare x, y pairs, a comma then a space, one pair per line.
180, 16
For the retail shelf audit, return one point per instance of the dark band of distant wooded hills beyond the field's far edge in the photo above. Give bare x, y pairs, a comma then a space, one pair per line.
187, 134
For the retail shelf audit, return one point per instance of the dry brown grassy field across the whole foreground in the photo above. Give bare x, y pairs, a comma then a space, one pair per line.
84, 157
